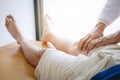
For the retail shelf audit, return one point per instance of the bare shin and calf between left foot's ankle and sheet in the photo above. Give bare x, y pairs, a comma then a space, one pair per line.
32, 52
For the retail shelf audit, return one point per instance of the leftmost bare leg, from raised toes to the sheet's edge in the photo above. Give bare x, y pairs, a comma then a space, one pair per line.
31, 52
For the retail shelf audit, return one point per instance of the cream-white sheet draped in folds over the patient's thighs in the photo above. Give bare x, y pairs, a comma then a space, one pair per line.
56, 65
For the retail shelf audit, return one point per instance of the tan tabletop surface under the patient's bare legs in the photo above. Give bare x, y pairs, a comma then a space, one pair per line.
13, 65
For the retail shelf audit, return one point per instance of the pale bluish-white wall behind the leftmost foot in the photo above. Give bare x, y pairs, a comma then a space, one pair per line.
23, 11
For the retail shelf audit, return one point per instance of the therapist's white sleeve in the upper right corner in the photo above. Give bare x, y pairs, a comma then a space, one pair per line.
110, 12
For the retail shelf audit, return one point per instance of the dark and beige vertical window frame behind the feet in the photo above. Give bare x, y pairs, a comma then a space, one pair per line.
38, 8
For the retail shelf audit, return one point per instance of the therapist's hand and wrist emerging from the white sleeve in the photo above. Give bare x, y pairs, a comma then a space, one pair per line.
97, 32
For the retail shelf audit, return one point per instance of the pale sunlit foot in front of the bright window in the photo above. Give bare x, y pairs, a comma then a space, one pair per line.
47, 32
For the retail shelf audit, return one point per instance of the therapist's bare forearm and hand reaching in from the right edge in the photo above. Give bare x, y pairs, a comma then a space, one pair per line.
102, 41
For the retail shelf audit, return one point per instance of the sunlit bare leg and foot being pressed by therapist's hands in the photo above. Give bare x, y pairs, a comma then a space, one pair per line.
60, 43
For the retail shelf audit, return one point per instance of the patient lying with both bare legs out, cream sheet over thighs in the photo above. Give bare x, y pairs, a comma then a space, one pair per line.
53, 64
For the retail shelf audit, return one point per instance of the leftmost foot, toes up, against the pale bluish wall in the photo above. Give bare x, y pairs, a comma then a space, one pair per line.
12, 28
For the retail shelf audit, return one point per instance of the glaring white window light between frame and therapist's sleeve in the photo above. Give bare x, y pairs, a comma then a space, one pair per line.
74, 18
